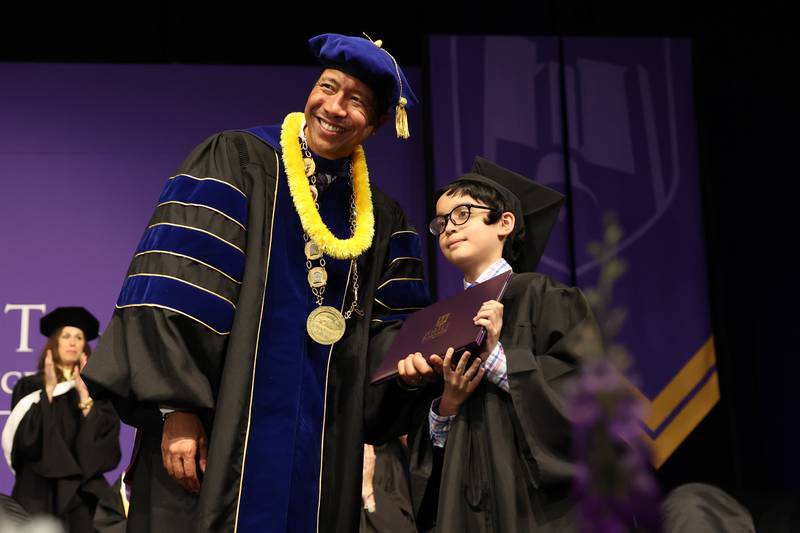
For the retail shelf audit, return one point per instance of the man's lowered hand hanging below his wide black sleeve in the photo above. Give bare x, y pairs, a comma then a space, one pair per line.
183, 440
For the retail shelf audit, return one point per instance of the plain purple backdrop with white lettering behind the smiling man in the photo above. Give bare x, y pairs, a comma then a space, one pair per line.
85, 152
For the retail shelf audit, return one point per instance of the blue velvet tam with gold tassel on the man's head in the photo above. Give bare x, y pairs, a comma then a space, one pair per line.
369, 62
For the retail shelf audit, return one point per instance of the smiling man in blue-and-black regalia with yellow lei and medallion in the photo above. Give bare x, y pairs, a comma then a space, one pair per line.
267, 286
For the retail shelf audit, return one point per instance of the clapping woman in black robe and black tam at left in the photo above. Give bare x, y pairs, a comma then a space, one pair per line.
58, 441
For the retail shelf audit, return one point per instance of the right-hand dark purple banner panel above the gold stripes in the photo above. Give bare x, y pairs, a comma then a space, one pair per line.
633, 148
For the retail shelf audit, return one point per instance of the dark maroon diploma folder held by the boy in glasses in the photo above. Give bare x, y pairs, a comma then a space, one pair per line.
447, 323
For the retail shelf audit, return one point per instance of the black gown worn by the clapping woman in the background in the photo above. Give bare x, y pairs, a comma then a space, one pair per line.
59, 456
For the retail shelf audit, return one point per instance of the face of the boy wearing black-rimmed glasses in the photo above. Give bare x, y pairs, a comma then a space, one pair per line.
474, 244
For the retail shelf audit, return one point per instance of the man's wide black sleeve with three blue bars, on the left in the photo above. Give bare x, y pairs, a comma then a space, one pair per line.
166, 341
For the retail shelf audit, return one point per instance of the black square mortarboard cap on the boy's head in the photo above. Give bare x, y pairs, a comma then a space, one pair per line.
535, 209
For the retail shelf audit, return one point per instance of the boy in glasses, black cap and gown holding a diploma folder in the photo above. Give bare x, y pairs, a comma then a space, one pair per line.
492, 453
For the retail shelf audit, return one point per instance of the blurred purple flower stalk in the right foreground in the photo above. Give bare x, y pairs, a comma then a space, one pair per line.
614, 483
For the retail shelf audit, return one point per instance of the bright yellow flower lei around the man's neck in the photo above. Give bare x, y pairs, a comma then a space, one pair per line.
304, 203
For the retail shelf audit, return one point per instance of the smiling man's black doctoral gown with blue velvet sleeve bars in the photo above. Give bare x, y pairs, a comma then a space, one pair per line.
180, 348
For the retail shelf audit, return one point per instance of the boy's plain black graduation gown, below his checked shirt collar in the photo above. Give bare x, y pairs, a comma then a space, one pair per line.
506, 466
